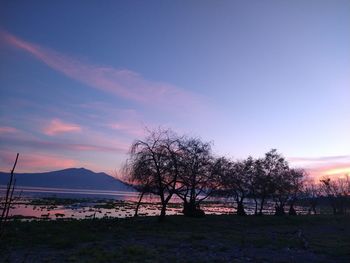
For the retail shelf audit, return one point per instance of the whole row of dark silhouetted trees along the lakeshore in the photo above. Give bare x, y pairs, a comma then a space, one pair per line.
166, 165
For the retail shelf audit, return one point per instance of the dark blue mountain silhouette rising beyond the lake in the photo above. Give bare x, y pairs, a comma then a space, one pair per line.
76, 178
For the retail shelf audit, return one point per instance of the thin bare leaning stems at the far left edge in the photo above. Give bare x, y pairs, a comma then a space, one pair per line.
8, 198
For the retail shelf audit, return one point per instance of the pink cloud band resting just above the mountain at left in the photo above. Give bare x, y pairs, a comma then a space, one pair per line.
35, 162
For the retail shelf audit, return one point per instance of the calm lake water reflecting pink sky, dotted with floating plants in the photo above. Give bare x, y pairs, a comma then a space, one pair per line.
99, 204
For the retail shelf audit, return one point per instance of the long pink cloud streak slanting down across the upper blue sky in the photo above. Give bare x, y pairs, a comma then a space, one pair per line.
123, 83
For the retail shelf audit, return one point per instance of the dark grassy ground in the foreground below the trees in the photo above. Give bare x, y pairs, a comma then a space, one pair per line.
180, 239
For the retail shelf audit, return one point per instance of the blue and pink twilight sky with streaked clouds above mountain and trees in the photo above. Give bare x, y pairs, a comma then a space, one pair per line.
81, 80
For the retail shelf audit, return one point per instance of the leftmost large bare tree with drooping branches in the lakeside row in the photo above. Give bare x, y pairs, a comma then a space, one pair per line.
152, 167
